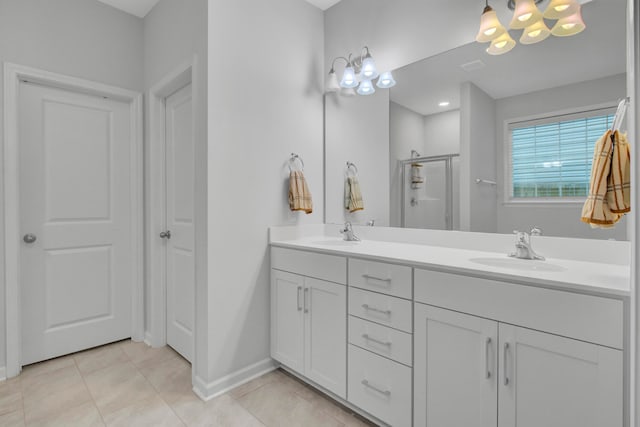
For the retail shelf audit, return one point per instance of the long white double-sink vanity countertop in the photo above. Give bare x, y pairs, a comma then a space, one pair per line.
589, 277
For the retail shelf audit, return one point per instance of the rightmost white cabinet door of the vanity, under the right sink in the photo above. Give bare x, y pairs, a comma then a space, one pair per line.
551, 381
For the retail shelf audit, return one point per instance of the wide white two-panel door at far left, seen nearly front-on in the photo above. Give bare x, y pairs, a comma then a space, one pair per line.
75, 213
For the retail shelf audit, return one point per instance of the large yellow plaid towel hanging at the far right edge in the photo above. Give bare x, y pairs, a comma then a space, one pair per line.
608, 174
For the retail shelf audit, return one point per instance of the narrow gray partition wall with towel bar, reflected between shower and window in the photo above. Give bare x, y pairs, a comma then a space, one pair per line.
477, 159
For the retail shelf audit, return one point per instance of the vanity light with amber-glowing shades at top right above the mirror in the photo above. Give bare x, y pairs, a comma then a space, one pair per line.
527, 17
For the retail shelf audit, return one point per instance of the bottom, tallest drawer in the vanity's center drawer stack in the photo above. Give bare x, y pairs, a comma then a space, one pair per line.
380, 386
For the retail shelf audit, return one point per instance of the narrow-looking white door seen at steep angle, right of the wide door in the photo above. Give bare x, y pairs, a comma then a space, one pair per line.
179, 233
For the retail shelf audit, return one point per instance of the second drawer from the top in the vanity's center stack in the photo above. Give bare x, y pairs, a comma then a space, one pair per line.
383, 309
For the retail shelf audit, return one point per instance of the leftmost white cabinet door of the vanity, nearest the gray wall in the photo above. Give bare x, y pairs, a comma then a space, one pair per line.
287, 319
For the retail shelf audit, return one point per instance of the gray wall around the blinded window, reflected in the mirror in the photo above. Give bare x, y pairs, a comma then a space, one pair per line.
558, 219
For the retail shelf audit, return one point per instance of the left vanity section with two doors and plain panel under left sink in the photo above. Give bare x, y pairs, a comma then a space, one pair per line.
308, 316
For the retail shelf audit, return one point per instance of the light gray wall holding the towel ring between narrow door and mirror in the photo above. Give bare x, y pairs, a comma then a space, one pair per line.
265, 70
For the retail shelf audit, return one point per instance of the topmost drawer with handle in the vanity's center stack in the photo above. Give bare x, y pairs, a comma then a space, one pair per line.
381, 277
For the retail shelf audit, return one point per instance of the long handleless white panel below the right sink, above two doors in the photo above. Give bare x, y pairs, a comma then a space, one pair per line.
588, 318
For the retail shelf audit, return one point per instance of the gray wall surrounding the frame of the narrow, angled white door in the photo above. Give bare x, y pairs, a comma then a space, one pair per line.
175, 32
